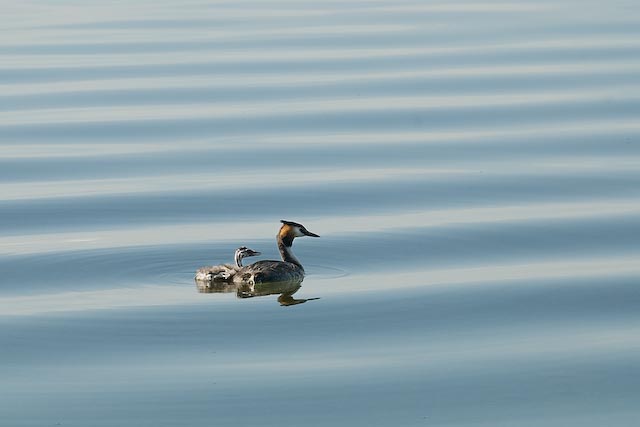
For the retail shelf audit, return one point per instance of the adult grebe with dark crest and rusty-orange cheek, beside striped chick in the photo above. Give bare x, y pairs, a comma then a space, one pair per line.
289, 269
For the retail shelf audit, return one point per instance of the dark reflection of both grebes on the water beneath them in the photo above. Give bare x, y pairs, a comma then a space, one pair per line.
285, 289
